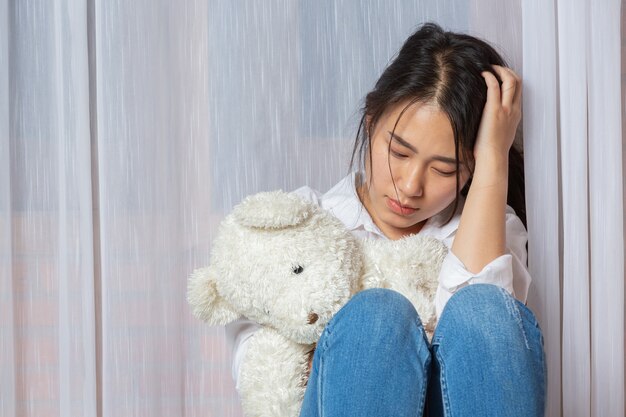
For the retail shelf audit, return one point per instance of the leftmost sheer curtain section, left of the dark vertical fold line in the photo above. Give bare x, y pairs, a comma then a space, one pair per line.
48, 344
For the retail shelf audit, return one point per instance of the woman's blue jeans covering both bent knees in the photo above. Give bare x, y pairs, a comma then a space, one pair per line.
373, 359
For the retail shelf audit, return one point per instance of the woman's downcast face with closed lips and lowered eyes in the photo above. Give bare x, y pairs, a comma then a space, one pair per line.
421, 160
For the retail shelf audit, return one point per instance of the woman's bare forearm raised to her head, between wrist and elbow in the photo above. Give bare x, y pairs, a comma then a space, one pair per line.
481, 235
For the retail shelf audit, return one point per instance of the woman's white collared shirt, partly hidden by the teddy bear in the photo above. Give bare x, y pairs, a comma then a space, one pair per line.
507, 271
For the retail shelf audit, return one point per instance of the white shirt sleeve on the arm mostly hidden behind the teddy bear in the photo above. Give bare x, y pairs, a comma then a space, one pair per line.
239, 332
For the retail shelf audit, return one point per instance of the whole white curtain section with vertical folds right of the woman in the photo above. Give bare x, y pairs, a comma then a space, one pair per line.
574, 141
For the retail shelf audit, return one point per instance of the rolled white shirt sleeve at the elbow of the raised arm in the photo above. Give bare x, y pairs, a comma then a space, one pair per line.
508, 271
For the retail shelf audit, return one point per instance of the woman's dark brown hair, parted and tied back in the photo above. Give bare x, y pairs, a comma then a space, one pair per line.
442, 68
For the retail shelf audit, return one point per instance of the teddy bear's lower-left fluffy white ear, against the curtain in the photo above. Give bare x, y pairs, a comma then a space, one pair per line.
206, 302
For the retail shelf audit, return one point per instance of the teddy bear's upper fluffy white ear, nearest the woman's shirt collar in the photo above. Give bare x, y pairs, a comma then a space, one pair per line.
272, 210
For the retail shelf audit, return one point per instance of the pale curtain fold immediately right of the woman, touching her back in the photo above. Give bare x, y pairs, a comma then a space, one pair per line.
540, 114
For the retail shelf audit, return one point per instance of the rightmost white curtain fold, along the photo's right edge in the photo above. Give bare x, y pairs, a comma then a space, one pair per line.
606, 210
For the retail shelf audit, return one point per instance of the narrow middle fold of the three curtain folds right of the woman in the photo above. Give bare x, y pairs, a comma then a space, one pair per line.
573, 30
